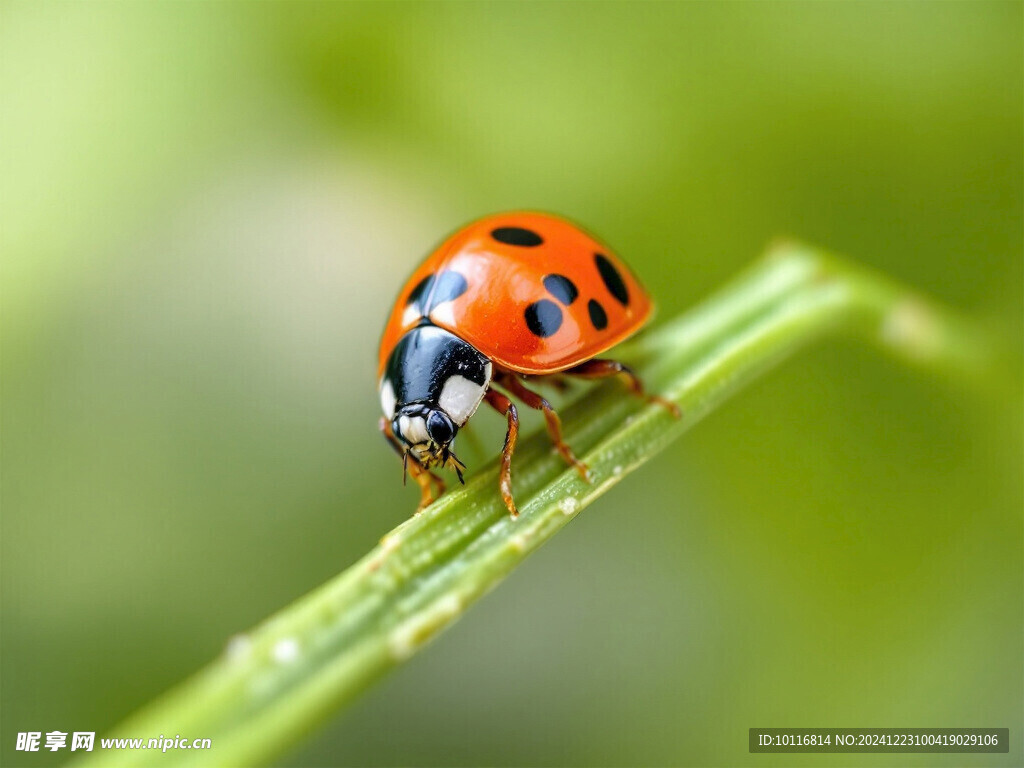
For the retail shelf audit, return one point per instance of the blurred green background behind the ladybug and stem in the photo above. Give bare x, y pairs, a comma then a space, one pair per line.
207, 210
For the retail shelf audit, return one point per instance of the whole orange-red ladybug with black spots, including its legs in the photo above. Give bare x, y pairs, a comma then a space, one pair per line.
510, 300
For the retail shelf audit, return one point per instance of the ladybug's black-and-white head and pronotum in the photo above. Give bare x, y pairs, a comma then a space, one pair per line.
433, 383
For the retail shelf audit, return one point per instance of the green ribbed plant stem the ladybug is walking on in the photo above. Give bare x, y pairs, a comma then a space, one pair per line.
278, 682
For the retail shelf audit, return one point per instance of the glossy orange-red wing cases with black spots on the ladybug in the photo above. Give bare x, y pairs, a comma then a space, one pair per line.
504, 280
